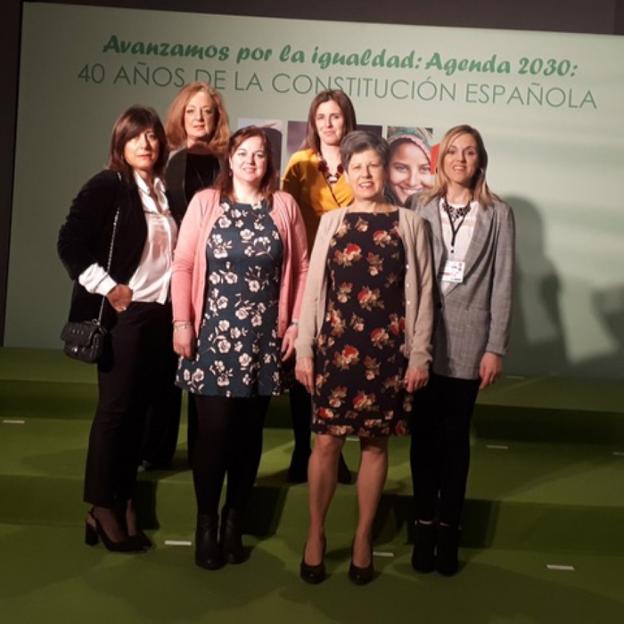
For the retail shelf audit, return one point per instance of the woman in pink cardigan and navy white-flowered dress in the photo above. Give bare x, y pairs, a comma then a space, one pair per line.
238, 278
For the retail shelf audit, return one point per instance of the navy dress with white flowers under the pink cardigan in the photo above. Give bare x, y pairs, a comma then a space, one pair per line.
238, 350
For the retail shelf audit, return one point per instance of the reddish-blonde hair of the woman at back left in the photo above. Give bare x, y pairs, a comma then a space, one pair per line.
174, 124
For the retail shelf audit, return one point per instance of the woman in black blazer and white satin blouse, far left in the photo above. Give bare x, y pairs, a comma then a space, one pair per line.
127, 200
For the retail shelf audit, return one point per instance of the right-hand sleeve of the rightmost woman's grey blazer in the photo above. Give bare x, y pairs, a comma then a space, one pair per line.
502, 283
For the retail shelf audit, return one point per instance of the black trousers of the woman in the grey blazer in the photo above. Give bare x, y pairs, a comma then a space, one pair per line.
440, 447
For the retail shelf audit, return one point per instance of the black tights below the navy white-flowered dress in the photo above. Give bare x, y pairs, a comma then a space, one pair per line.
228, 441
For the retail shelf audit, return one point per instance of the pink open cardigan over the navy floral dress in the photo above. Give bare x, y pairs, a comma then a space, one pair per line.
189, 263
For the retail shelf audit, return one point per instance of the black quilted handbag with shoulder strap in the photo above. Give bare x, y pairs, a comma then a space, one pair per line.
84, 340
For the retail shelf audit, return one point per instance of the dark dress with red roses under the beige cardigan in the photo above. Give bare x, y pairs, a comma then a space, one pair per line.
359, 366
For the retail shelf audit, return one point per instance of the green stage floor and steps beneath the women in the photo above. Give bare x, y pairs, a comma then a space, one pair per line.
546, 488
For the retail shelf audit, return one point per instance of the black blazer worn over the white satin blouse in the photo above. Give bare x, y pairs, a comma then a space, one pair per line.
85, 238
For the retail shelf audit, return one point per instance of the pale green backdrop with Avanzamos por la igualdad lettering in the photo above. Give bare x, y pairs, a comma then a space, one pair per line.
550, 107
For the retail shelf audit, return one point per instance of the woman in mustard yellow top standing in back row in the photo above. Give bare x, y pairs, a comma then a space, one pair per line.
314, 177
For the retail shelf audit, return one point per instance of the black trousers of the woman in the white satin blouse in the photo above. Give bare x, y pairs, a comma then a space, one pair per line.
136, 370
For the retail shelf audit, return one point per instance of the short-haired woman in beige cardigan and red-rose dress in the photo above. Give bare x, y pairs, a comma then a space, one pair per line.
364, 342
